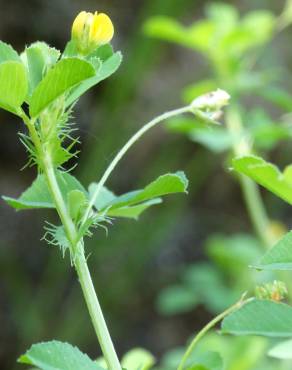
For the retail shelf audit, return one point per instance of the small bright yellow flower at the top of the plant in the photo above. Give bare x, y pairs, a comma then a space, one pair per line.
91, 30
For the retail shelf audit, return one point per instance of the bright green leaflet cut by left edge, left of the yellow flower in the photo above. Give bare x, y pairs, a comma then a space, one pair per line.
13, 86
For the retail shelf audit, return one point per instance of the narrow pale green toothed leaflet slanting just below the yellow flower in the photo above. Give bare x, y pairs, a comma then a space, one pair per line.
106, 69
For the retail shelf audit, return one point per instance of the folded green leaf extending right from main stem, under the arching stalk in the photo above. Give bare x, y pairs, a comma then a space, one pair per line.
132, 204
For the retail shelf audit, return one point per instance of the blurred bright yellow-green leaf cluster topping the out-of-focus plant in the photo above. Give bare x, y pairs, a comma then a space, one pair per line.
222, 31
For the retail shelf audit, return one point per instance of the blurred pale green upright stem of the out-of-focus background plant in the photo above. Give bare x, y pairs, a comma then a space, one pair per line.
250, 190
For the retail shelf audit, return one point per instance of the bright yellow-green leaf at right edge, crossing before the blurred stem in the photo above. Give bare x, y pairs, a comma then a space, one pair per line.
267, 175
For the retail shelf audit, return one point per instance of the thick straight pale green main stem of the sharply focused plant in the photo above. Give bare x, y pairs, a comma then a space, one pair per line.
79, 259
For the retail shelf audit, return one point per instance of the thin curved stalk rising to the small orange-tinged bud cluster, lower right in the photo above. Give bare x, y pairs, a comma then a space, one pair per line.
206, 328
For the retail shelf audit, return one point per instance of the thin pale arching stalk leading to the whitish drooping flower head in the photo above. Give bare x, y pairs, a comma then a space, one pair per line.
126, 147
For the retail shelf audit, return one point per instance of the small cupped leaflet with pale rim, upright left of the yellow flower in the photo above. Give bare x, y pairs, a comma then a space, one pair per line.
38, 58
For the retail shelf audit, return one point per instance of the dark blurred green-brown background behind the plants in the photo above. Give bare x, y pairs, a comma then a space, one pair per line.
140, 269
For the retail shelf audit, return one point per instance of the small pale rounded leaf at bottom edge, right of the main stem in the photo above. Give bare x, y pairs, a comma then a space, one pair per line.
138, 359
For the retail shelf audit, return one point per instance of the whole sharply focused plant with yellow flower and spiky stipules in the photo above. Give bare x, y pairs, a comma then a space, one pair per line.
41, 87
